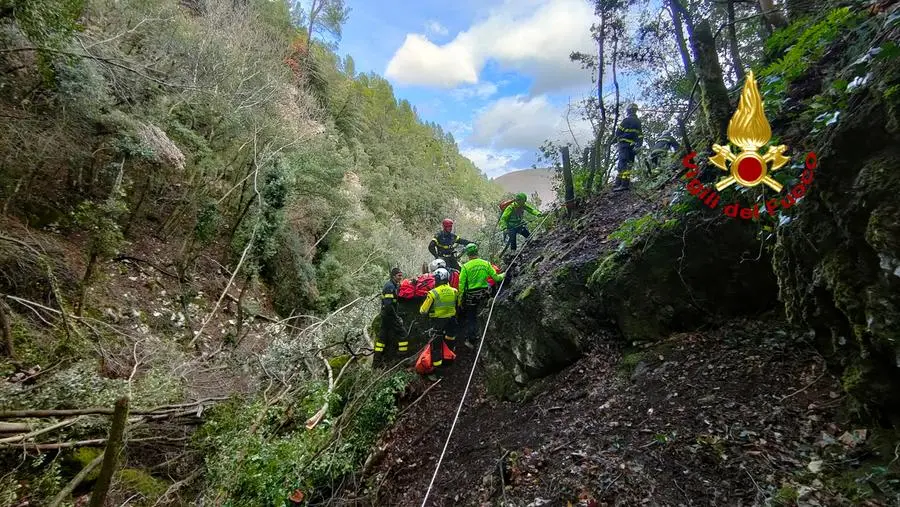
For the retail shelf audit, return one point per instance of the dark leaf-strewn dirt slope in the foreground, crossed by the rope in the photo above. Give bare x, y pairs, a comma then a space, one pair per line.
723, 417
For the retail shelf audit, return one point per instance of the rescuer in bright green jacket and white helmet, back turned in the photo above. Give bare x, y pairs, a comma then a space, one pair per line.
474, 290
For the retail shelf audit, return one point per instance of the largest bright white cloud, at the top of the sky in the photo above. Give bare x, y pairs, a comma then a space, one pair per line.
531, 36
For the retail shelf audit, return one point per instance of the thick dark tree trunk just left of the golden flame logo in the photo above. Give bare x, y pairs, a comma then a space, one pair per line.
713, 94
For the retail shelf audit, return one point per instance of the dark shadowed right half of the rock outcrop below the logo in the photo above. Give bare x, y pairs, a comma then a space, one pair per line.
679, 279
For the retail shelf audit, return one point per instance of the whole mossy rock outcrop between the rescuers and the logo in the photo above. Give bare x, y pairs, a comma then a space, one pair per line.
579, 285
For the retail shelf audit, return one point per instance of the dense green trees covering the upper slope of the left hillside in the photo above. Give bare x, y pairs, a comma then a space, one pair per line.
239, 129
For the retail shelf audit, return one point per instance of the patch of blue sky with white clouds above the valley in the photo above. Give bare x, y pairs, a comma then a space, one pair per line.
495, 73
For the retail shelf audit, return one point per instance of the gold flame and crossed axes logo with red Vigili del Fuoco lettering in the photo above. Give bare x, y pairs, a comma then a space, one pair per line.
749, 130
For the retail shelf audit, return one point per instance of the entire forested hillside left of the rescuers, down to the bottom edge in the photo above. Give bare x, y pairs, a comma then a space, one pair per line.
188, 189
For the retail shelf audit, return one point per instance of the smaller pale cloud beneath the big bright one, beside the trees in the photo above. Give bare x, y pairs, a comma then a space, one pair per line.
522, 123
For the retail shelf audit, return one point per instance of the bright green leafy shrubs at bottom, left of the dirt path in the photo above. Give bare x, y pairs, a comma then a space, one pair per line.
255, 455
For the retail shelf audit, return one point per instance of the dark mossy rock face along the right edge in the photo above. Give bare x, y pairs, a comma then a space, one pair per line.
838, 260
